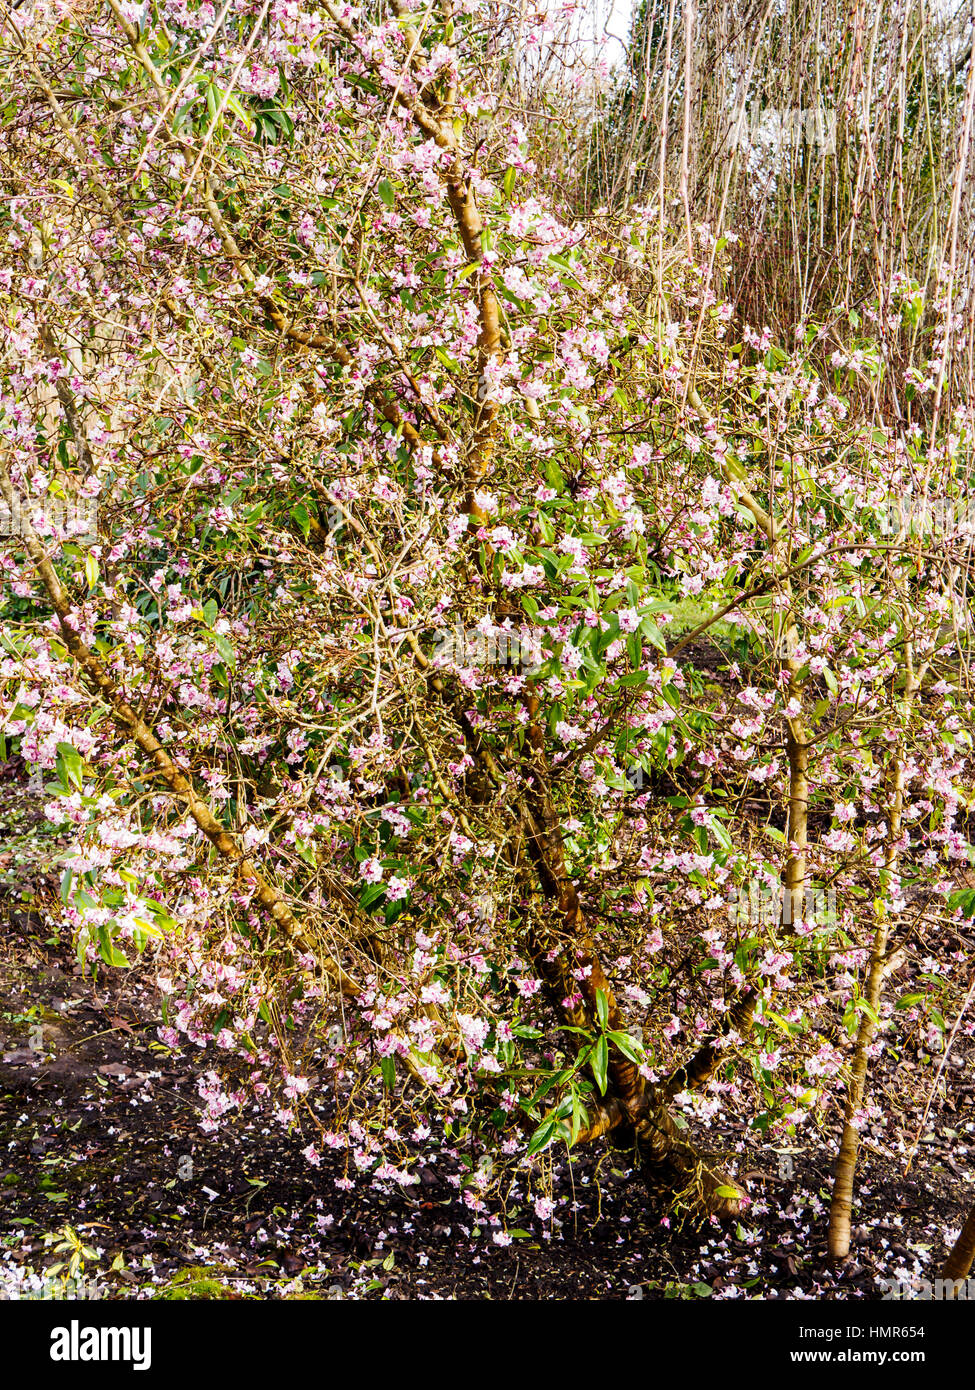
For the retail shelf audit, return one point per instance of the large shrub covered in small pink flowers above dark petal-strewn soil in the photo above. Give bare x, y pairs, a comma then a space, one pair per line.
284, 294
